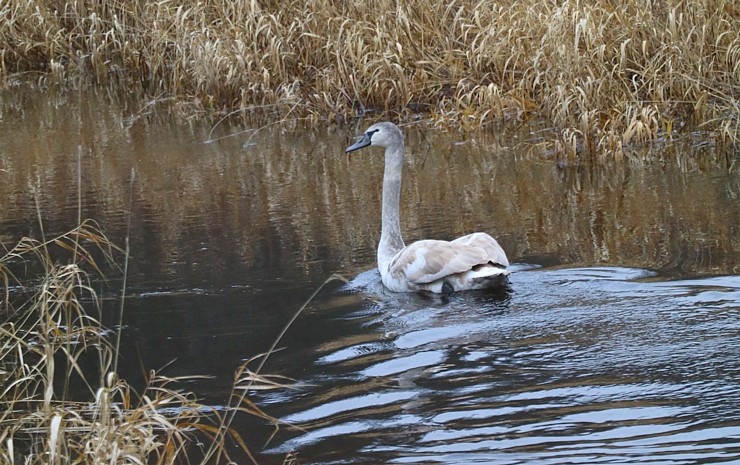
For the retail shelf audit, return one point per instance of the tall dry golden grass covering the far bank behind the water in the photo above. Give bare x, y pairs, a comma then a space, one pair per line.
609, 75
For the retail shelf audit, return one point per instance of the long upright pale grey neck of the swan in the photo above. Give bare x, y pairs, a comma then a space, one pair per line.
390, 238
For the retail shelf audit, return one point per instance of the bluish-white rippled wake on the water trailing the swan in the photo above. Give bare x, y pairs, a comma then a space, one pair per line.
572, 366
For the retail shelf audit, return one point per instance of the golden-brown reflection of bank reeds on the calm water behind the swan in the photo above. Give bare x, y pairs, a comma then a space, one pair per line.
295, 206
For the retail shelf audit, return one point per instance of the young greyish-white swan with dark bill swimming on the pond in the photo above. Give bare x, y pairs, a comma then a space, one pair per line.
475, 261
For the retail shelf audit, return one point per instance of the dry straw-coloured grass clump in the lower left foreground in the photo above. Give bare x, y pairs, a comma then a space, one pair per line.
53, 349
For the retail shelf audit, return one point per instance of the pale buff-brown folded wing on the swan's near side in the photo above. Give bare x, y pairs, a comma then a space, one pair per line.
427, 261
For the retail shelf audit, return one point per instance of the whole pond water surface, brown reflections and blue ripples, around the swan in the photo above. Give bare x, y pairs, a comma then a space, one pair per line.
618, 341
